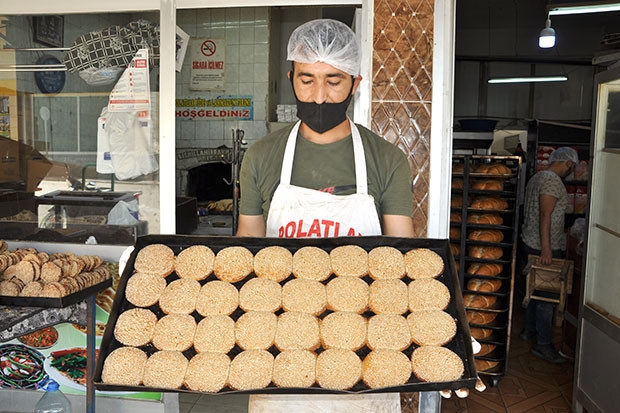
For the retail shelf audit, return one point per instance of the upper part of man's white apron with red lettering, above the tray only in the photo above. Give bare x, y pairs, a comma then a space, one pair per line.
298, 212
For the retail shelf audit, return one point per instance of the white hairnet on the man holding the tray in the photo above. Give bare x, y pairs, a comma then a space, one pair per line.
328, 41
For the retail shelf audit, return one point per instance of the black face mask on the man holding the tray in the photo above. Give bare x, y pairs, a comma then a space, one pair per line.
321, 117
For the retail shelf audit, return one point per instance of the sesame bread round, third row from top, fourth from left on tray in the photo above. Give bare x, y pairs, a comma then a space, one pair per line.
256, 330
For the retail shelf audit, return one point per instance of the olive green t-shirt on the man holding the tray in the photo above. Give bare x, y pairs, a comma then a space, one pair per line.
329, 168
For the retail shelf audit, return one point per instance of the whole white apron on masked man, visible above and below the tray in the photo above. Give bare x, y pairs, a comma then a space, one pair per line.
298, 212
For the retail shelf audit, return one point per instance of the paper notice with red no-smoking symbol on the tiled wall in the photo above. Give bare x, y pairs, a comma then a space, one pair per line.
208, 71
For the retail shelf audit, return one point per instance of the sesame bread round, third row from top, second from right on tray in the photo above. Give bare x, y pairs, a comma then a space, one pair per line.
388, 332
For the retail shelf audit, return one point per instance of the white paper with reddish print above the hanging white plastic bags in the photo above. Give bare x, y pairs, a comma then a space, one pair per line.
132, 91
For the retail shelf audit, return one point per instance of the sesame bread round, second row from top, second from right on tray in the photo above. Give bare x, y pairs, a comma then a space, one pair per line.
388, 296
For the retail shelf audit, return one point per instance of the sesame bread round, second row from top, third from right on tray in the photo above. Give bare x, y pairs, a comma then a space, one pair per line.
347, 294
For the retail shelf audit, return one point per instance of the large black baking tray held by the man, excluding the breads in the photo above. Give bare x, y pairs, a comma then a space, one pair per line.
461, 344
